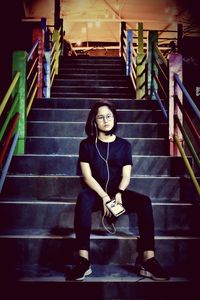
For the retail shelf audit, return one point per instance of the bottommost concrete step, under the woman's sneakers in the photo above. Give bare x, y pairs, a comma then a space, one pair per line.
106, 282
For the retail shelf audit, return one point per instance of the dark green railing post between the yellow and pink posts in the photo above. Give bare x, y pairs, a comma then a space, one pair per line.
152, 69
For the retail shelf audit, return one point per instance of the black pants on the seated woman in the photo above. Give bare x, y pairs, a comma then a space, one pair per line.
88, 201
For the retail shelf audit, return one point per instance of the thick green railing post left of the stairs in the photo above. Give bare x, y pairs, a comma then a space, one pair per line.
20, 65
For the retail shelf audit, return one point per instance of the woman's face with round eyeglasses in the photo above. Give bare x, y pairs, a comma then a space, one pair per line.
104, 119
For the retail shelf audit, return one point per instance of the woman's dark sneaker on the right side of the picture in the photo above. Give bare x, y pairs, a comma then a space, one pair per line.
152, 269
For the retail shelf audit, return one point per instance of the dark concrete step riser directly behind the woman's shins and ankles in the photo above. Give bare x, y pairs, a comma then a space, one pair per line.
32, 247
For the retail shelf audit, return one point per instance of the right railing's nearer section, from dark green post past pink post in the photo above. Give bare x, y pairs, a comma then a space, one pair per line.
166, 80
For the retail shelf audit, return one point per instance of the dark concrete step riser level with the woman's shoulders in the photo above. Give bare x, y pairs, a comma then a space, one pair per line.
70, 145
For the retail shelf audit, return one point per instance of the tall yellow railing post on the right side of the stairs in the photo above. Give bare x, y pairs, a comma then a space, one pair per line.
140, 63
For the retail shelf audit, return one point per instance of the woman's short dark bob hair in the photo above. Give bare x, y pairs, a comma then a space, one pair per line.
90, 127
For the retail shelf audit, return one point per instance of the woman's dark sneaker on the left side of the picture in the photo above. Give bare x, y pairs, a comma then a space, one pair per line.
81, 270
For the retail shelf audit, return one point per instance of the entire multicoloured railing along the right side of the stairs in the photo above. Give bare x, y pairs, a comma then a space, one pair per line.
162, 77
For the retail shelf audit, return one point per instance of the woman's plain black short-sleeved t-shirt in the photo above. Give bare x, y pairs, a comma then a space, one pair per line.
119, 154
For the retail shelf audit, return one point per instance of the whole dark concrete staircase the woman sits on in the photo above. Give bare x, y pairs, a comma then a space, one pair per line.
39, 195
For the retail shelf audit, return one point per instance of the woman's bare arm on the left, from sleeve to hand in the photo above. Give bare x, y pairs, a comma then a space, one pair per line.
94, 185
